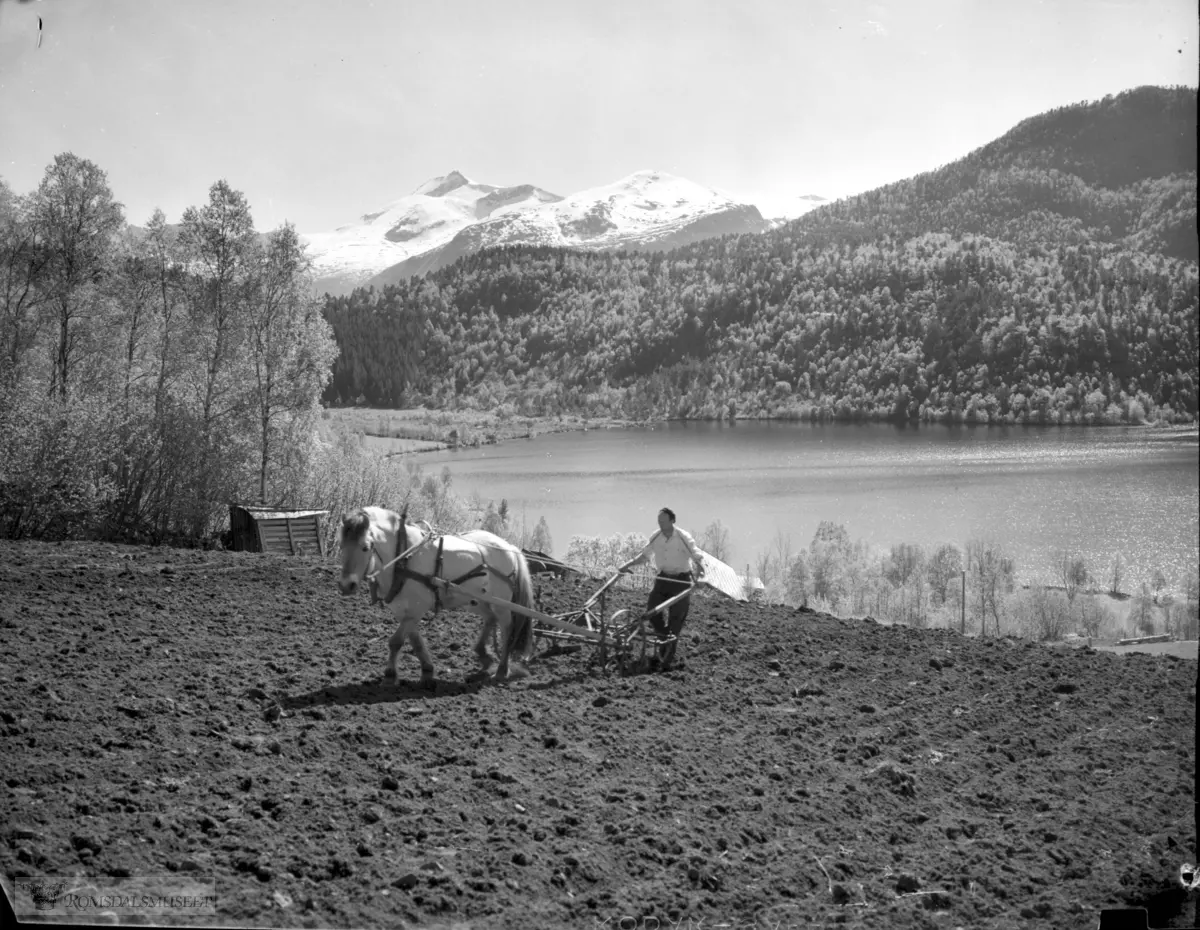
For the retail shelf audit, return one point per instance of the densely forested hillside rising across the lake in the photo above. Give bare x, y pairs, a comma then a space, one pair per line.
1049, 277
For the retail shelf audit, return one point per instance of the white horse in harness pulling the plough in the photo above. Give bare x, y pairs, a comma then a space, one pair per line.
479, 562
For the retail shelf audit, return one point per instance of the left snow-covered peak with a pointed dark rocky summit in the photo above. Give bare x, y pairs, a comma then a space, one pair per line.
423, 221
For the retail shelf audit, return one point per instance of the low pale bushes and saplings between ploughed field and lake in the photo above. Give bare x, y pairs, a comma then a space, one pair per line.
974, 590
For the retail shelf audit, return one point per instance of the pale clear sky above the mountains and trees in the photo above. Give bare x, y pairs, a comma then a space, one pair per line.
321, 112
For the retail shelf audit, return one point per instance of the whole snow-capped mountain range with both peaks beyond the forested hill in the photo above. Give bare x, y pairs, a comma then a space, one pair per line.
449, 218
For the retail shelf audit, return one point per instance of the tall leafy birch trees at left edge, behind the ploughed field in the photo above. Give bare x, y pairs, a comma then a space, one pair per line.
151, 377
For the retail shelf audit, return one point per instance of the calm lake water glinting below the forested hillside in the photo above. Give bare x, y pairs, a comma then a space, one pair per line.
1036, 490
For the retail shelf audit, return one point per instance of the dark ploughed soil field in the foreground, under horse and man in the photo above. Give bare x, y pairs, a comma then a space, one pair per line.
223, 716
